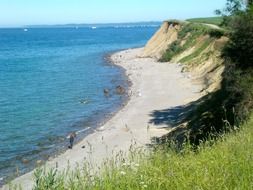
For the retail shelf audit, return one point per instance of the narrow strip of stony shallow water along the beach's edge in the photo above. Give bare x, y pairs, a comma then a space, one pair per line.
102, 118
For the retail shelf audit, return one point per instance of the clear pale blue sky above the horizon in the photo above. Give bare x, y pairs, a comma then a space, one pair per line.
37, 12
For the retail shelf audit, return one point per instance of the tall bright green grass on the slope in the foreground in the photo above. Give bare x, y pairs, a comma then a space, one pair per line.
223, 164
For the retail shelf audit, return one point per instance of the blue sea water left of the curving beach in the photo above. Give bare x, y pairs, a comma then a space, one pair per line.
45, 76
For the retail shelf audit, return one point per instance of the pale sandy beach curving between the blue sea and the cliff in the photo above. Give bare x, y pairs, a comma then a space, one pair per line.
155, 87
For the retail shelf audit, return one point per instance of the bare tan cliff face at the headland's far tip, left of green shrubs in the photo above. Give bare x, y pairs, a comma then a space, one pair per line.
159, 43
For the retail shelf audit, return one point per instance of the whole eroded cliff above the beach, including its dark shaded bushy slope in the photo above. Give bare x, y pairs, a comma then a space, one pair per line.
202, 51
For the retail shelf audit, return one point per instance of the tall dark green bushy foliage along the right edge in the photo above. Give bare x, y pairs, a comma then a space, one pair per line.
238, 55
